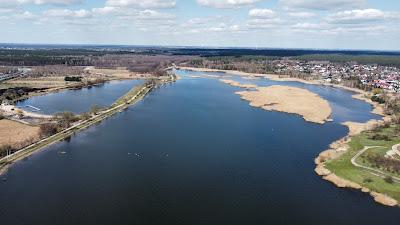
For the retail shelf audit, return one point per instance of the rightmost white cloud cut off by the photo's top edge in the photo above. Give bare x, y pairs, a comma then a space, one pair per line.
321, 4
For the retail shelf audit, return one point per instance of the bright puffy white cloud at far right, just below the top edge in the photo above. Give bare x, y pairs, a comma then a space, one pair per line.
359, 16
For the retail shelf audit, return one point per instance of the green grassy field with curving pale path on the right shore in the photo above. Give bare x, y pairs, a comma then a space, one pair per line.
344, 168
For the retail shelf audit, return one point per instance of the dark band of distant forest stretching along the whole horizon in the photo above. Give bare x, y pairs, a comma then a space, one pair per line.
95, 55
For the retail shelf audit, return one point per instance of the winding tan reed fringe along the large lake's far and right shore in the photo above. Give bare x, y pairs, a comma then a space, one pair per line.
338, 147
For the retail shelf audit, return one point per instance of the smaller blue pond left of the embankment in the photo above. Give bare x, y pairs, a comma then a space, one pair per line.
79, 100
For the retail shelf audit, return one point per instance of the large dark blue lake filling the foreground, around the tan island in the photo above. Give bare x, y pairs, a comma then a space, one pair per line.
193, 153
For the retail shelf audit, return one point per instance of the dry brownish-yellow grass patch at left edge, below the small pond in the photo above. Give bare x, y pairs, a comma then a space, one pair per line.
17, 134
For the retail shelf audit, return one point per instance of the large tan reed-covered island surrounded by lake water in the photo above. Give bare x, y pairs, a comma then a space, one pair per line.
290, 100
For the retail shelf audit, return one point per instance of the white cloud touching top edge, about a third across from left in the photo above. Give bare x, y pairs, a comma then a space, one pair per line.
142, 3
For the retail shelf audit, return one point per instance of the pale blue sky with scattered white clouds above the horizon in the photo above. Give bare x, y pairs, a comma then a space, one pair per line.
311, 24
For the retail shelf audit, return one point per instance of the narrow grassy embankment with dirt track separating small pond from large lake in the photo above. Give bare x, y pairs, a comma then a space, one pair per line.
132, 97
